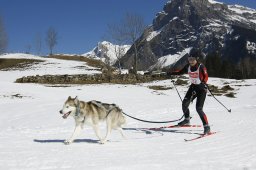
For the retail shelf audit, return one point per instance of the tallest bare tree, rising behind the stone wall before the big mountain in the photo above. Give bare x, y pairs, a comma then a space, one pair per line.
128, 31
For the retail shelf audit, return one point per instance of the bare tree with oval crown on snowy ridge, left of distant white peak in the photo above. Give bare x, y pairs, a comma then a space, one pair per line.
51, 39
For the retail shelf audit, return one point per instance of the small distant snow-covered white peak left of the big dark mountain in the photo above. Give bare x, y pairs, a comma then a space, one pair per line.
107, 52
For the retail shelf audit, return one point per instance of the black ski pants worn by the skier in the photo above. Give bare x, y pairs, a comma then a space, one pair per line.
195, 91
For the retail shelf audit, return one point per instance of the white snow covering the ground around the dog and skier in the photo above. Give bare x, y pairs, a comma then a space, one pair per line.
32, 131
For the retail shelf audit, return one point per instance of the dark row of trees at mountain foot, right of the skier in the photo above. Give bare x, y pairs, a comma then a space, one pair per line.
227, 68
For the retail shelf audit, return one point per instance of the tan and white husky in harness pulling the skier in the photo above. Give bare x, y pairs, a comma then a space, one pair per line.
92, 113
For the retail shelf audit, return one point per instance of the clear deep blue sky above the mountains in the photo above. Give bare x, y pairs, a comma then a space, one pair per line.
80, 24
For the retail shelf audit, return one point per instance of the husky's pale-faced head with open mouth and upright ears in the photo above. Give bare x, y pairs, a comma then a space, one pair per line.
69, 107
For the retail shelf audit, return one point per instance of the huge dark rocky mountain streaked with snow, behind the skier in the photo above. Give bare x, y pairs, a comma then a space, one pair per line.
208, 25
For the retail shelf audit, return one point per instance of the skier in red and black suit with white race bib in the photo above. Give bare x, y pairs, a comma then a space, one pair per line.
198, 77
